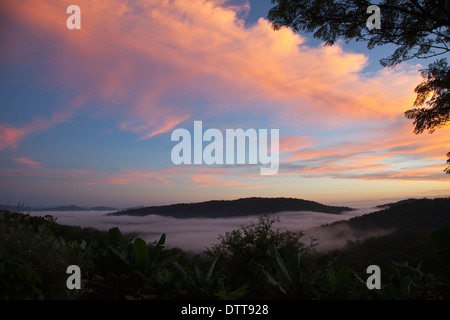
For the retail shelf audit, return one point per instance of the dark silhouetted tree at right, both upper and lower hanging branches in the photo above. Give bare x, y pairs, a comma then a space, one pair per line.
418, 29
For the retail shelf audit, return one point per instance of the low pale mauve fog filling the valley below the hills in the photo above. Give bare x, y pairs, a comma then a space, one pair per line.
196, 234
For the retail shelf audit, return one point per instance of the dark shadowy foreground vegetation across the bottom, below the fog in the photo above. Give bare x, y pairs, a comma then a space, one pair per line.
257, 261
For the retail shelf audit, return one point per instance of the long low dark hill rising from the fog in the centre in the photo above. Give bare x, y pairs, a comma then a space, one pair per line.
233, 208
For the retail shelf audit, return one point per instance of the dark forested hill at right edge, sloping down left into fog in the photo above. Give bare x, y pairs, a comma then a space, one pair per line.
412, 214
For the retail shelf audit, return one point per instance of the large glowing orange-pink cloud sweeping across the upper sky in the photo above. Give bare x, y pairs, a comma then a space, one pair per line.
145, 59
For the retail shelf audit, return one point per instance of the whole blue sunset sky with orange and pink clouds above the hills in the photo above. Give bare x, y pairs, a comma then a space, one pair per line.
86, 115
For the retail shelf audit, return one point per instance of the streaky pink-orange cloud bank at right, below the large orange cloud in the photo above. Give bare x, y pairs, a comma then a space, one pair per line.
392, 154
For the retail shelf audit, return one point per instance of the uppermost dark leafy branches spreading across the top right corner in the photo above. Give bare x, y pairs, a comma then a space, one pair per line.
419, 29
